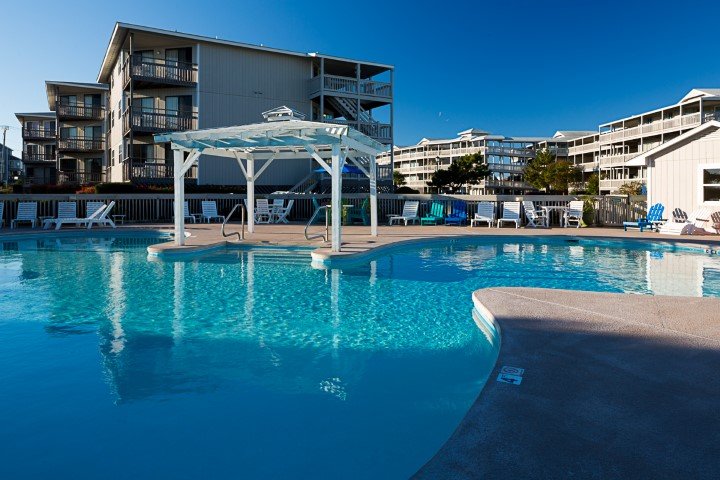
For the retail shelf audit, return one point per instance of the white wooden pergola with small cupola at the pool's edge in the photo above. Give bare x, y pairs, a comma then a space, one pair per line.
282, 137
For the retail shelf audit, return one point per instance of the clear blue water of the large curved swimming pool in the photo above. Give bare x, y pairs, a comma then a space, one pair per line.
253, 364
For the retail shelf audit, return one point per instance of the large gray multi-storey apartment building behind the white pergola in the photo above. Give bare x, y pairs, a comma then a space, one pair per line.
153, 81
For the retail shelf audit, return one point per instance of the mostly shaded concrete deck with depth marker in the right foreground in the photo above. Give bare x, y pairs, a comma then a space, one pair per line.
615, 386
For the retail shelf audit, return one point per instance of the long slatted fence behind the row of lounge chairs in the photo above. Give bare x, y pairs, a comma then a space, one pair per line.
158, 208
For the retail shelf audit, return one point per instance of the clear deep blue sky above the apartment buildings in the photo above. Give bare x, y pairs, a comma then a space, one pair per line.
511, 67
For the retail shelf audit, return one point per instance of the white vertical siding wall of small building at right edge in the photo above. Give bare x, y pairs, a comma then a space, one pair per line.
675, 176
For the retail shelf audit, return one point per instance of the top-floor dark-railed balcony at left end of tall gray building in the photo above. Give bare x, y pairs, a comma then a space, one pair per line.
158, 73
